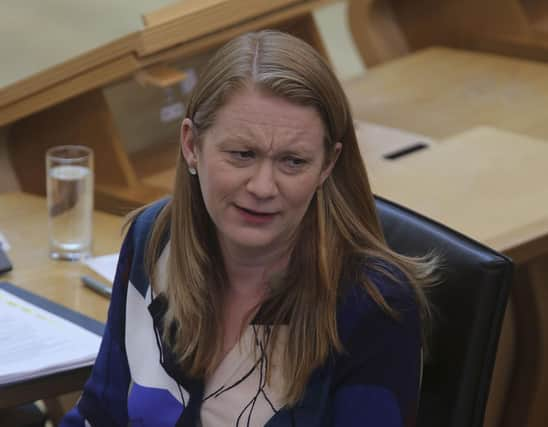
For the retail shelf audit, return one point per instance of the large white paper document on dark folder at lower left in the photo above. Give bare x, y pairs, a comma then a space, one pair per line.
35, 342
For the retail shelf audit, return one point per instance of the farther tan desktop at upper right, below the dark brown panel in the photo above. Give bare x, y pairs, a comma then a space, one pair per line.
439, 92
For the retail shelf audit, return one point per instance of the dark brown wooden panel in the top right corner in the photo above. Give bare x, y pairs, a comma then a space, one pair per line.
387, 29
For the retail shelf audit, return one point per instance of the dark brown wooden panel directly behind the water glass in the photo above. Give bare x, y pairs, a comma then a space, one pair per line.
84, 120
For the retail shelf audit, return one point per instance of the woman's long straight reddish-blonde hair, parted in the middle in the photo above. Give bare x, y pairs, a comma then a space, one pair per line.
339, 227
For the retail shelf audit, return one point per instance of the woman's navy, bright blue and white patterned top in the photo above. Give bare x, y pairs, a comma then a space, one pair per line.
135, 380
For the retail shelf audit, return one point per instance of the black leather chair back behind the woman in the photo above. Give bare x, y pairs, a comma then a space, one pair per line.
469, 304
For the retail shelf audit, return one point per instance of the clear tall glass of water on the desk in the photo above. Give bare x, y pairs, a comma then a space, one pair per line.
69, 170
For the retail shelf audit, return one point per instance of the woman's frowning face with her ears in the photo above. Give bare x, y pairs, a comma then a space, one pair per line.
259, 166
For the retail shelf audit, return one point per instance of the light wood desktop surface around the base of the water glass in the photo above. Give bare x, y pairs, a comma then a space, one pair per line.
24, 222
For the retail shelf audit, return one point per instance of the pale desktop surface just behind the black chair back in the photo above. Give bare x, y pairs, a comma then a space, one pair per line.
486, 183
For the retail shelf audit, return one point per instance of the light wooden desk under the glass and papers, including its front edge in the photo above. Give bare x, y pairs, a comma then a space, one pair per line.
23, 220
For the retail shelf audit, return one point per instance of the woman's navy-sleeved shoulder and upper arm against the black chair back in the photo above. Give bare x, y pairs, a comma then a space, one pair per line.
376, 376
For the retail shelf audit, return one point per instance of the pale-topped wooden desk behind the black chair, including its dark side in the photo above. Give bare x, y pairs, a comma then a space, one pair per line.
492, 186
